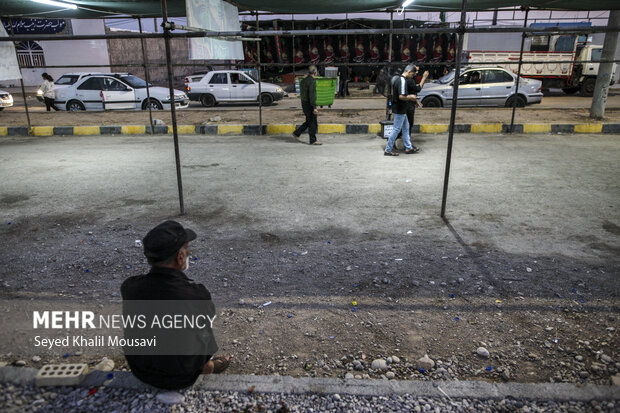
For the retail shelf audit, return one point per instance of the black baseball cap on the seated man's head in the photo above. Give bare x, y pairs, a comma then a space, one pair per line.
165, 240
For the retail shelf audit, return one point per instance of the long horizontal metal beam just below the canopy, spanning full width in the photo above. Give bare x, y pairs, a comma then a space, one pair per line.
318, 32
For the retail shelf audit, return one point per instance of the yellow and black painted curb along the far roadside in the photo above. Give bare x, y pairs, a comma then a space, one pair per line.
324, 128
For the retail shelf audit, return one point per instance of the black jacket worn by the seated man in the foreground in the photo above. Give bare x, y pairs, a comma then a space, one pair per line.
166, 371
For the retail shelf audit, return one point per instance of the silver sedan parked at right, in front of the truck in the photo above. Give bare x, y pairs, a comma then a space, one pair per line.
484, 86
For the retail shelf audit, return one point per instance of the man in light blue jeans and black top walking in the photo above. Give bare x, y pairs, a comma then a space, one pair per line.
399, 108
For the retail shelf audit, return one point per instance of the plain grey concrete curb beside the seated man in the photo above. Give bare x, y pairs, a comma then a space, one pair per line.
291, 385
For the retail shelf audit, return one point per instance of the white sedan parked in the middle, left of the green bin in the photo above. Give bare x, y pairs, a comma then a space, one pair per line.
232, 86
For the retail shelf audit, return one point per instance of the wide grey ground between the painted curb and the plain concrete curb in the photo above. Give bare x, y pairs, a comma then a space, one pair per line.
530, 250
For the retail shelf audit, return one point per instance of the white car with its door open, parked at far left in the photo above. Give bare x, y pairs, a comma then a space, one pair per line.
117, 90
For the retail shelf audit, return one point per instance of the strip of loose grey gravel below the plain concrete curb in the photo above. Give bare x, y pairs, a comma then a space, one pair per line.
69, 399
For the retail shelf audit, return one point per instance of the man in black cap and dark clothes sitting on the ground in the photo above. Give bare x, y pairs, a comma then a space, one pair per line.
167, 251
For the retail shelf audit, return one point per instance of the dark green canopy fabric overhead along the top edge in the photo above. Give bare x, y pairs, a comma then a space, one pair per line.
176, 8
